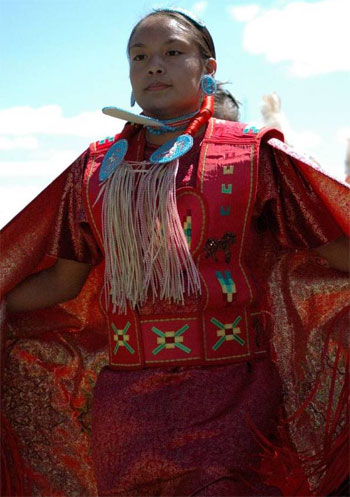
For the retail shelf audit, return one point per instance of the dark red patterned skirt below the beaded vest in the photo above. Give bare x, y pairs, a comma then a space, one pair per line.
173, 432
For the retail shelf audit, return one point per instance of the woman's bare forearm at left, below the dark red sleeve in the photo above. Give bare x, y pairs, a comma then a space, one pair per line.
59, 283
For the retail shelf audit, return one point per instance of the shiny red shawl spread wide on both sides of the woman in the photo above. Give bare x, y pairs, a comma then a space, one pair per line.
51, 358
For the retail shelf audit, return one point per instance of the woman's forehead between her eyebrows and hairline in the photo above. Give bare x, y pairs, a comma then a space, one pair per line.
160, 28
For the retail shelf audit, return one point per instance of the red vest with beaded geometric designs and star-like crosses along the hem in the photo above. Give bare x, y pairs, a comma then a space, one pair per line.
223, 325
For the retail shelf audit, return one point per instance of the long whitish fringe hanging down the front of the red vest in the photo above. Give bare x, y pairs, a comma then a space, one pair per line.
146, 252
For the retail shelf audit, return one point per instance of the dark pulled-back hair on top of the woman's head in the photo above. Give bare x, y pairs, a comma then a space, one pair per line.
201, 35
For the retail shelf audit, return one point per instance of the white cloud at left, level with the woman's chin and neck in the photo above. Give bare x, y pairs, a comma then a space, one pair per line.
50, 120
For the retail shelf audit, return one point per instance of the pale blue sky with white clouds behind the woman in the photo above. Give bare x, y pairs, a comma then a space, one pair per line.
62, 61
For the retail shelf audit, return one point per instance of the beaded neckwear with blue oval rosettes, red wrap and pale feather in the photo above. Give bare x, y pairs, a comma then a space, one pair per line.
169, 151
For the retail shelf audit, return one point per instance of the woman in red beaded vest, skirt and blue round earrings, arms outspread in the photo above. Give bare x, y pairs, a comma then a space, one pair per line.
190, 391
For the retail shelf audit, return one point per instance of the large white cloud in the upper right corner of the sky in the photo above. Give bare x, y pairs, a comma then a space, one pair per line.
314, 38
